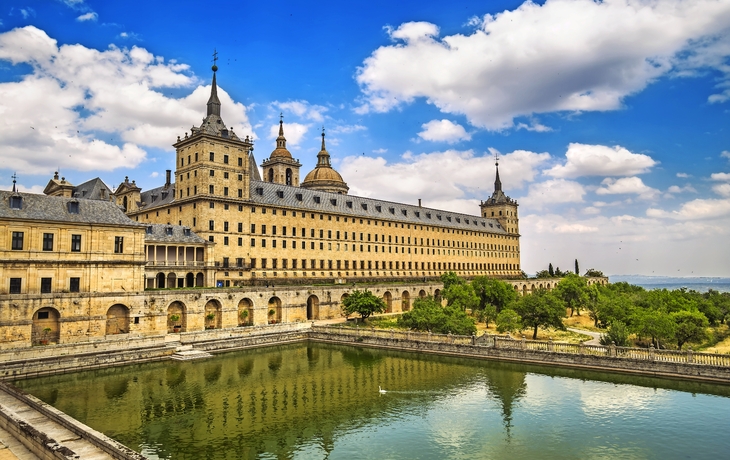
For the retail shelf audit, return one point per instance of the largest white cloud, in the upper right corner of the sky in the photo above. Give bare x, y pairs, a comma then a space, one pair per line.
588, 55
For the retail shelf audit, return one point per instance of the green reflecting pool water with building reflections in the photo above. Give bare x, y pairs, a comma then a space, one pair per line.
319, 401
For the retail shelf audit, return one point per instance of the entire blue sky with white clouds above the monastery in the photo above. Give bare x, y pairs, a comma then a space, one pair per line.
611, 118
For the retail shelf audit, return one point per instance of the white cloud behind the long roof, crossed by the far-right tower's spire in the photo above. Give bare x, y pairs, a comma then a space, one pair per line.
451, 179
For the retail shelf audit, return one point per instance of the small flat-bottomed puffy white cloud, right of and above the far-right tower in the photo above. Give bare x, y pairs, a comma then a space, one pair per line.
601, 160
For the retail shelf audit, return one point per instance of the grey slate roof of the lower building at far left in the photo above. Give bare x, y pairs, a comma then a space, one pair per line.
56, 209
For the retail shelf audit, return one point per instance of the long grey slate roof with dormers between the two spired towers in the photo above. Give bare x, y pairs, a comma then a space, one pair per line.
273, 194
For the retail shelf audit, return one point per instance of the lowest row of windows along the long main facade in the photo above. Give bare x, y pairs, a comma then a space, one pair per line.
295, 264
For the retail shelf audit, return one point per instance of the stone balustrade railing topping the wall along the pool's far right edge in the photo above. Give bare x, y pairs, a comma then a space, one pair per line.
508, 343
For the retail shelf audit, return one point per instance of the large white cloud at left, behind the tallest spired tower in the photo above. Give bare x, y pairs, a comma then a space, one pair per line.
85, 109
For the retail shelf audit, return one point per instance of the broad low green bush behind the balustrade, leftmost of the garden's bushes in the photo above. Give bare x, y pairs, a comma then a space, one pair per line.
428, 315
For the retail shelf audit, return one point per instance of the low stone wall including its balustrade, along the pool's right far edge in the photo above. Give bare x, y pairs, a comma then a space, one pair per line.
610, 359
